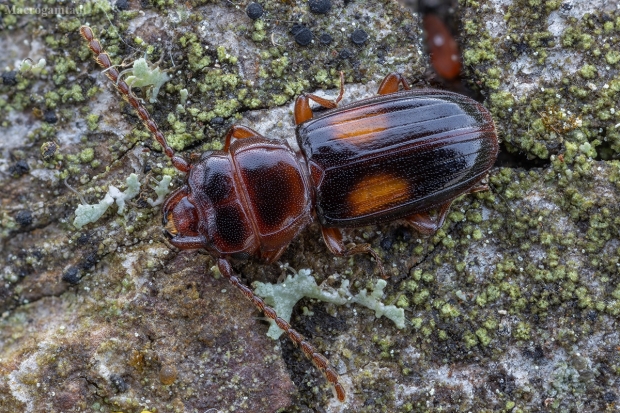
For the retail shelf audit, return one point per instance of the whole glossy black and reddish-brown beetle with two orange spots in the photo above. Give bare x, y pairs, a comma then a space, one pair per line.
396, 156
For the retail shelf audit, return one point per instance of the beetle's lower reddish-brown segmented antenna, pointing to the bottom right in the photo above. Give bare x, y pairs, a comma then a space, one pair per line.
319, 360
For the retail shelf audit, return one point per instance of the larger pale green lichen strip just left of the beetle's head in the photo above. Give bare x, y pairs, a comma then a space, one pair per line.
87, 213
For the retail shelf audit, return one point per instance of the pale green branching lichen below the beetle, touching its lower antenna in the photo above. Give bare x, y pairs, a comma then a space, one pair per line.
284, 296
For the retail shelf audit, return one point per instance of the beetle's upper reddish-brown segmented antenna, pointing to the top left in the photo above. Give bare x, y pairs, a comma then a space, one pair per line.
102, 58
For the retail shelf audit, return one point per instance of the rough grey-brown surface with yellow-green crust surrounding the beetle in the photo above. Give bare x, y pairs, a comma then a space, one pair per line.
512, 306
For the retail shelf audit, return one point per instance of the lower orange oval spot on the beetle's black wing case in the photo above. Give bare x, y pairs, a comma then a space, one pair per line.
377, 192
